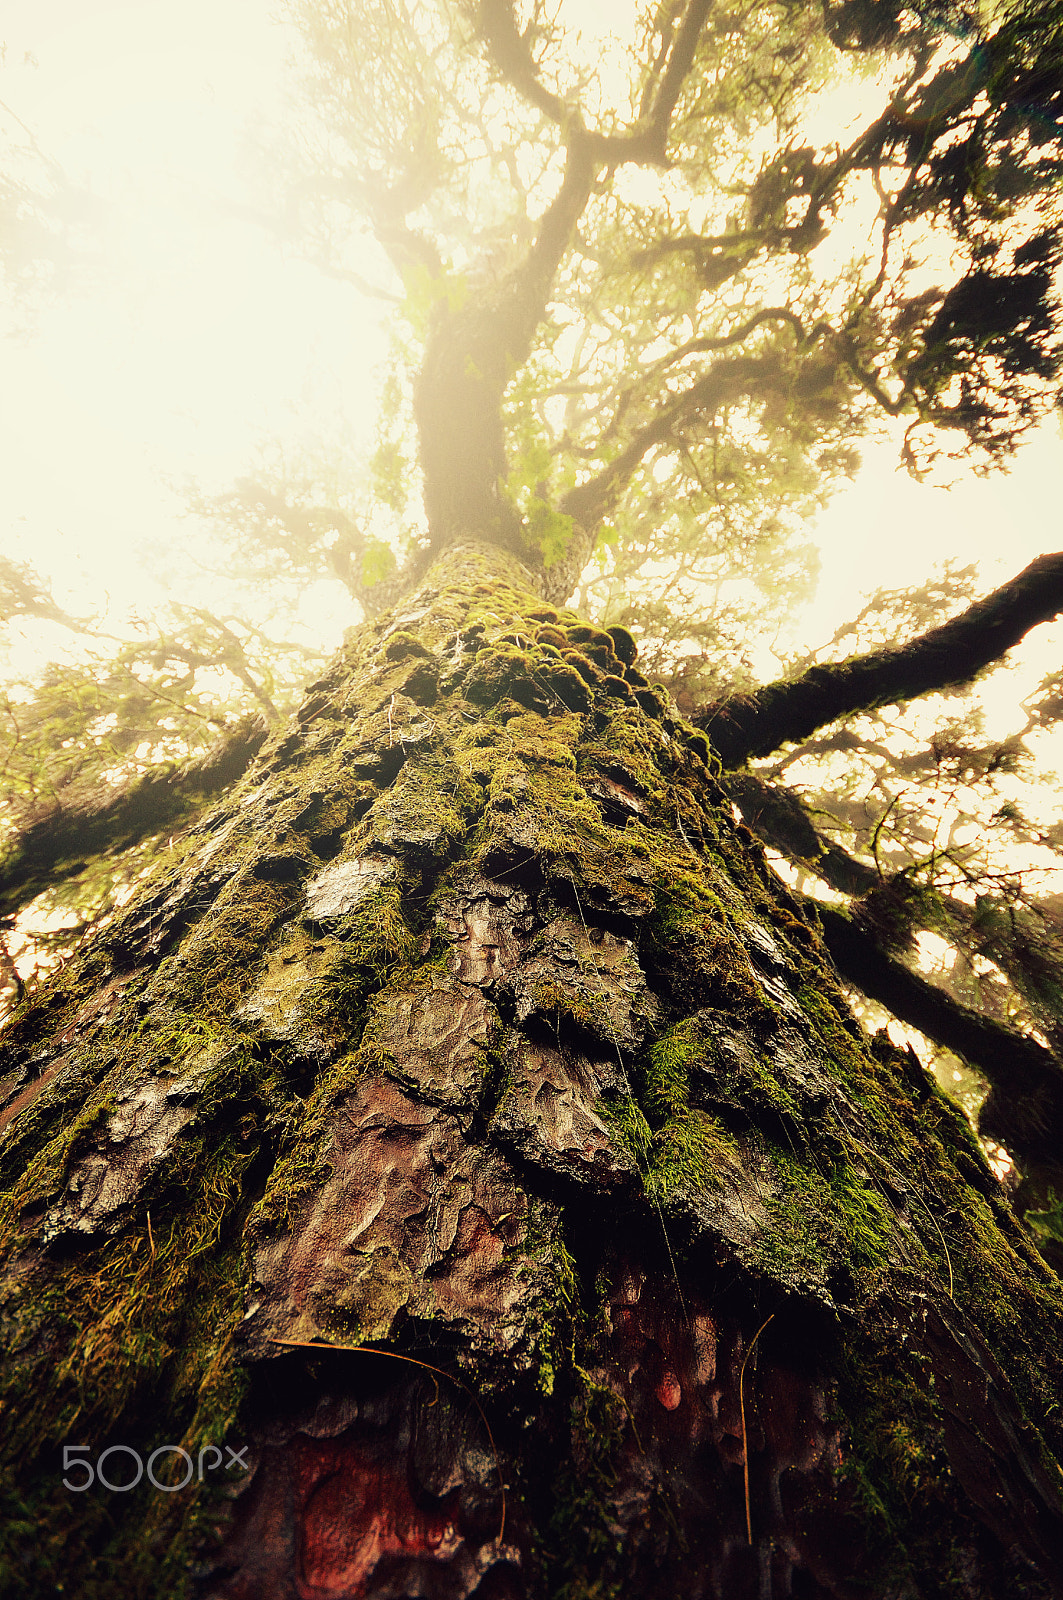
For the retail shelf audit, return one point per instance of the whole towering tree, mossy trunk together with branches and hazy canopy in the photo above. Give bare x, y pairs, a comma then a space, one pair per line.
646, 350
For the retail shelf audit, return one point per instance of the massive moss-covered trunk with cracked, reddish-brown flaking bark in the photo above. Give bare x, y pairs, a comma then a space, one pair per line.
470, 1028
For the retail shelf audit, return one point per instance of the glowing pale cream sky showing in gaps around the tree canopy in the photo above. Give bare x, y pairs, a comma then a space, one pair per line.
199, 335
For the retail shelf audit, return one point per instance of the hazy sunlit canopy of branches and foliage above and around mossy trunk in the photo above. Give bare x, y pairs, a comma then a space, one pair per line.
649, 298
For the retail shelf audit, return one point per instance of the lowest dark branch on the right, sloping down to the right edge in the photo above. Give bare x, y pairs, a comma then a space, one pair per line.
1025, 1110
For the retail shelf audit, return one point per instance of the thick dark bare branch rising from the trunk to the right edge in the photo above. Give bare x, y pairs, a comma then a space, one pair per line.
750, 726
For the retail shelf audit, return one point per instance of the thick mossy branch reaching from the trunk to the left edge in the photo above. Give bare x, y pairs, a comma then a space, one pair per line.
57, 844
